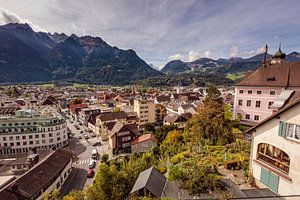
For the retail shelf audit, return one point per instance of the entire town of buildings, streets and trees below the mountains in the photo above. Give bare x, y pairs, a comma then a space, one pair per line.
56, 137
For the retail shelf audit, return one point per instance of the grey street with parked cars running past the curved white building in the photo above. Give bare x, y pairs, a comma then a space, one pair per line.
78, 180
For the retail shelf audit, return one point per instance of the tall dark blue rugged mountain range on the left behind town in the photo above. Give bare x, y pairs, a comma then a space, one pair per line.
29, 56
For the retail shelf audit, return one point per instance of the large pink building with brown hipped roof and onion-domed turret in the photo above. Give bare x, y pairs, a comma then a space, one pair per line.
266, 90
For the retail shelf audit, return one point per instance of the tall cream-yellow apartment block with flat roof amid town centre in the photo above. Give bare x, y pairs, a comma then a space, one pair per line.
145, 110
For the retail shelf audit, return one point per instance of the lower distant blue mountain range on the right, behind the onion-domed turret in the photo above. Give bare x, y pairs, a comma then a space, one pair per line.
222, 66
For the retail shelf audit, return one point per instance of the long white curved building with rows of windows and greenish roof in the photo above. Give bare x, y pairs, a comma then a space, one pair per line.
27, 129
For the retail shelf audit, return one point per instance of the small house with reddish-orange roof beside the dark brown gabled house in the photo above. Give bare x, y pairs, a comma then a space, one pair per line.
143, 143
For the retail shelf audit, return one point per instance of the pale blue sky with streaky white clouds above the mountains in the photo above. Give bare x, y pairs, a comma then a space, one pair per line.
164, 30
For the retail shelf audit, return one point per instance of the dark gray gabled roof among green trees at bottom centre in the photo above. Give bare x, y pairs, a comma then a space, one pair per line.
152, 180
